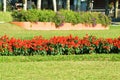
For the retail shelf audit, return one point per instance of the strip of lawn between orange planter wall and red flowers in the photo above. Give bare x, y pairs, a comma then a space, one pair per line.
12, 30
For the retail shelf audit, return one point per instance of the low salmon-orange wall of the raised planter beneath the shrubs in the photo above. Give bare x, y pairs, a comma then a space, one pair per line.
64, 26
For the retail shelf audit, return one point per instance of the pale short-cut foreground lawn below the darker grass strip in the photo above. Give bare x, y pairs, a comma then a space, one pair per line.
60, 70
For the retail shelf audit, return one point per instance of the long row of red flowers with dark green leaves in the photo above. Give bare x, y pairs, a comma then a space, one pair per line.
61, 45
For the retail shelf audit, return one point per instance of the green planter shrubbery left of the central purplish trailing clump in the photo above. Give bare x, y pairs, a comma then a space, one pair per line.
34, 15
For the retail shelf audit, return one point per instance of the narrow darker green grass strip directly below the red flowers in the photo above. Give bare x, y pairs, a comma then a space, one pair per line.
85, 57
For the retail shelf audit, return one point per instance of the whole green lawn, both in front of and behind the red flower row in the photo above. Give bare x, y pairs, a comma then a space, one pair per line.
73, 67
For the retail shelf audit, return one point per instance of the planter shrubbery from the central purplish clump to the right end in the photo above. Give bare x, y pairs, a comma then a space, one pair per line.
81, 17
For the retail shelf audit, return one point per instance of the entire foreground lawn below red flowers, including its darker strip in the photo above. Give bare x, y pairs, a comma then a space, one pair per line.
72, 67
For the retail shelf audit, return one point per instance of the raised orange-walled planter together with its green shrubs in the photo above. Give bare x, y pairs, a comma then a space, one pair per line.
61, 20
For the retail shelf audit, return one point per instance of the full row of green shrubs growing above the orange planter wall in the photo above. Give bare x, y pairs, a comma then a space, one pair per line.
61, 16
